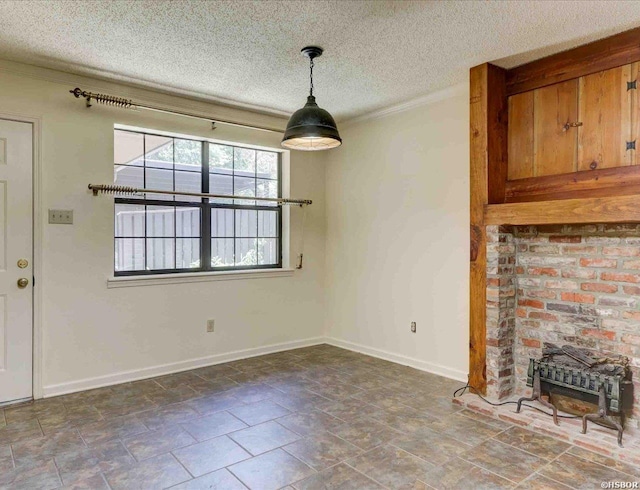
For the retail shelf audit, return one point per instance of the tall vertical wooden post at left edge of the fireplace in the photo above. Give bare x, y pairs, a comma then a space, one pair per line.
488, 175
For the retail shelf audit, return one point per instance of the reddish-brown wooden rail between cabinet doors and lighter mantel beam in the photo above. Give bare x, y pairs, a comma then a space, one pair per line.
607, 182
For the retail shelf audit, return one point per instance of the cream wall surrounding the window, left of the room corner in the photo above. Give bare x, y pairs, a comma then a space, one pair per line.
94, 335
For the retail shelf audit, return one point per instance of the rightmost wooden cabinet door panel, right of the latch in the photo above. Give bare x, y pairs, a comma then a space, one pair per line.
605, 113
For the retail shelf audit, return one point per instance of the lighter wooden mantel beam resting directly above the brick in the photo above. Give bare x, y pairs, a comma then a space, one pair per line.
620, 209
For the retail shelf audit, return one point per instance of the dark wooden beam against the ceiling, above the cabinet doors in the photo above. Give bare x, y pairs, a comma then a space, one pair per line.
620, 49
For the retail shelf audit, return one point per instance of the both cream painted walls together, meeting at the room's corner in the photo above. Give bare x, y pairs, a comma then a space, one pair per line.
394, 225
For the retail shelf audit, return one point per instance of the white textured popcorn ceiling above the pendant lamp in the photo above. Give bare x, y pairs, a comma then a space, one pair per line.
377, 53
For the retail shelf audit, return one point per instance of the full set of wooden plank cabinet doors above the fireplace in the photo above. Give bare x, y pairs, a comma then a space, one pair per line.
578, 125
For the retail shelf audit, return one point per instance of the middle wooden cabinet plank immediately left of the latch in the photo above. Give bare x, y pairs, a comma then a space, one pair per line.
555, 148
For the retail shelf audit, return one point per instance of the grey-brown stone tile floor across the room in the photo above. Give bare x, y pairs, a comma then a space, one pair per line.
313, 418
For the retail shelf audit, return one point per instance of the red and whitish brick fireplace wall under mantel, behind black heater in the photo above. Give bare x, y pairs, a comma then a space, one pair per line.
565, 284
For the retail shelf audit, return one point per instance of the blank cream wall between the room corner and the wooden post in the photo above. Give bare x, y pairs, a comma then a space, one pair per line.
398, 235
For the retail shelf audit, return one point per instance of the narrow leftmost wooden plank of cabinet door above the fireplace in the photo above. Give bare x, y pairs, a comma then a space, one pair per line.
520, 136
